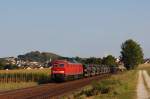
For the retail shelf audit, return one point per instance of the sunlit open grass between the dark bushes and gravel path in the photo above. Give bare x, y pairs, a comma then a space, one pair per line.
123, 88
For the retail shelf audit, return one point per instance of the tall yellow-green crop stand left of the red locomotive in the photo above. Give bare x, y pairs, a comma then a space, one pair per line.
39, 76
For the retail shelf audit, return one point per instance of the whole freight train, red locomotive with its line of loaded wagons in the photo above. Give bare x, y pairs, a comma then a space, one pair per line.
63, 70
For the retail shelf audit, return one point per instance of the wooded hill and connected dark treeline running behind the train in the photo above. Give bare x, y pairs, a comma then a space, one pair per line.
45, 56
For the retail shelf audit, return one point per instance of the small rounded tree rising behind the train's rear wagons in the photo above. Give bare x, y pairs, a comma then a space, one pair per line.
109, 60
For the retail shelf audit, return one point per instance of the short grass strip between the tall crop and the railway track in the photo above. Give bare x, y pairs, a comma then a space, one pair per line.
12, 86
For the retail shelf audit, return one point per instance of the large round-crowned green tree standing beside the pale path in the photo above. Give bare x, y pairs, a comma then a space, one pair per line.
131, 54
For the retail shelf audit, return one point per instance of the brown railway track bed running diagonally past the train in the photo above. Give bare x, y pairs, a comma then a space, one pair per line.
49, 91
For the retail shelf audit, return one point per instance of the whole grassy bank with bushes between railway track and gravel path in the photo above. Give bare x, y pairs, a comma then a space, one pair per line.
120, 86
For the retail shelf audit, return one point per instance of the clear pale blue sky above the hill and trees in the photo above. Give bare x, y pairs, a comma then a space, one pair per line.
70, 28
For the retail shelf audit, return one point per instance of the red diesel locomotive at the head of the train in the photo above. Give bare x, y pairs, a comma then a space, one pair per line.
64, 70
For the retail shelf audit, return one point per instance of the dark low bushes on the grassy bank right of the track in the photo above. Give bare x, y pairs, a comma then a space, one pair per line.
102, 87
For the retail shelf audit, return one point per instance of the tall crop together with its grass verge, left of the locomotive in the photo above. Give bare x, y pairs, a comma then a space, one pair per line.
15, 79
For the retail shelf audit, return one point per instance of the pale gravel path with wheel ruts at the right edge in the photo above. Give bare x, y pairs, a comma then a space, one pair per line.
142, 92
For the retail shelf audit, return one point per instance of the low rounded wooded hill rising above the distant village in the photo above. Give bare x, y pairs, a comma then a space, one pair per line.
38, 56
